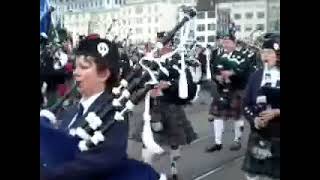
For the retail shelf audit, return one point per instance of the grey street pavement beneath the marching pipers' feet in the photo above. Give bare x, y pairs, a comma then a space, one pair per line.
195, 163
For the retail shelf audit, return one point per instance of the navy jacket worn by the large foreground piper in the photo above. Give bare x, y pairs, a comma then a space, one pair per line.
98, 161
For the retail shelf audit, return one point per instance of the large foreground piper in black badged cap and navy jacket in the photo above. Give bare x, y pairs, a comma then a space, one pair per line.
96, 73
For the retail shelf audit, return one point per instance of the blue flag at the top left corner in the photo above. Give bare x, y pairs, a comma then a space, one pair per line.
45, 16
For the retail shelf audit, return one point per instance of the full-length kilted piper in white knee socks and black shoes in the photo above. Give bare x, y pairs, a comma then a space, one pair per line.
230, 74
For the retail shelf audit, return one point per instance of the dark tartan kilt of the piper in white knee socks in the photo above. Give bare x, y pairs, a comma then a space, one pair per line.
229, 107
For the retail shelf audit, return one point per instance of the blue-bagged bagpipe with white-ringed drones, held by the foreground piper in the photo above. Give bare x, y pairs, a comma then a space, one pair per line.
58, 147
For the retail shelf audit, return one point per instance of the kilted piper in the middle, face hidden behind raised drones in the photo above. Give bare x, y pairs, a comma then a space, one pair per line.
169, 121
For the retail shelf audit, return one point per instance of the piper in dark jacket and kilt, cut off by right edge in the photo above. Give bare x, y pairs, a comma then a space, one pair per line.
262, 110
